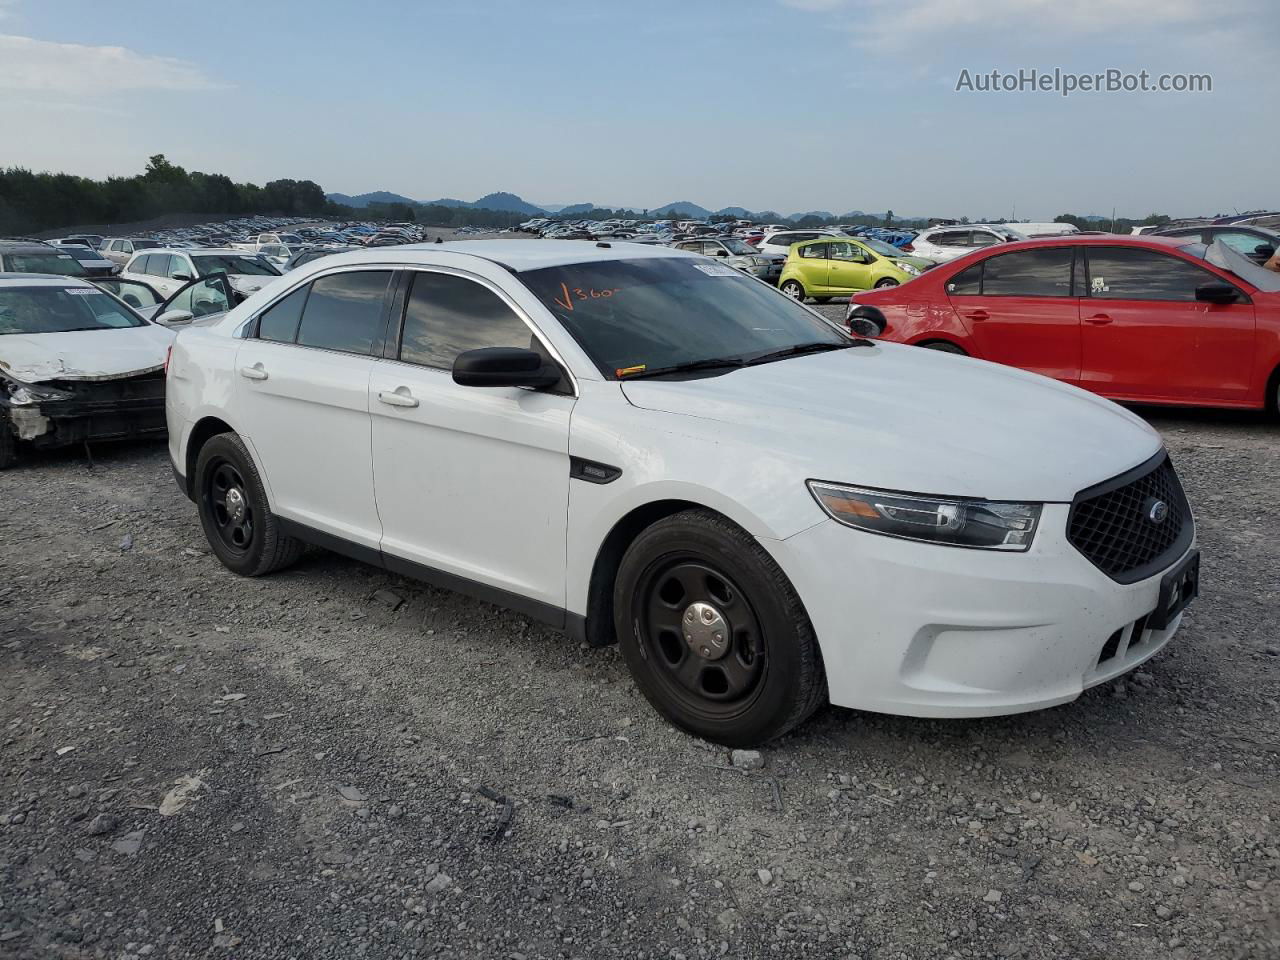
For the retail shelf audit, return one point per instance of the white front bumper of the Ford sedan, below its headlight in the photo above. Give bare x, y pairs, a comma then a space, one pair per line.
938, 632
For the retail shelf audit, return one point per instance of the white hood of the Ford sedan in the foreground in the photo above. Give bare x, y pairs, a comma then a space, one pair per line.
917, 420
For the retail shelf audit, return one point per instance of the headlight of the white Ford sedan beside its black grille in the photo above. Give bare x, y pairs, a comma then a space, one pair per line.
952, 522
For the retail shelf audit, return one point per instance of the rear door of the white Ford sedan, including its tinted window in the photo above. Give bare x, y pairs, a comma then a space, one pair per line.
303, 391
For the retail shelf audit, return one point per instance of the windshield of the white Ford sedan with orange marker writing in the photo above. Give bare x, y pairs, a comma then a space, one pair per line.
630, 316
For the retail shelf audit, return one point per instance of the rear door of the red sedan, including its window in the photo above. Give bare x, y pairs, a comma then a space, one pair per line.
1022, 310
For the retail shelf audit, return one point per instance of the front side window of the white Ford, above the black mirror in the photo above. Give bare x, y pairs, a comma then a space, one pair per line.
447, 316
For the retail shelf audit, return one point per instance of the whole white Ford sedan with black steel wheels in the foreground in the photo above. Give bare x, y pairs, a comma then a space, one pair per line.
647, 446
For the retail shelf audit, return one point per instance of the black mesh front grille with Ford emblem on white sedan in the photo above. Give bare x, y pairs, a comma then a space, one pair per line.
1112, 523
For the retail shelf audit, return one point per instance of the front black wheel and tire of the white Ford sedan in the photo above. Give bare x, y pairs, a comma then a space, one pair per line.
751, 682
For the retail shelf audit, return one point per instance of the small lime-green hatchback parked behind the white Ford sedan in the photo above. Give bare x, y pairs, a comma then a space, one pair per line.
836, 267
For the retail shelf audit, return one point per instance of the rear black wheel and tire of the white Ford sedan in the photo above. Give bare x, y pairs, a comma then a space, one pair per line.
239, 524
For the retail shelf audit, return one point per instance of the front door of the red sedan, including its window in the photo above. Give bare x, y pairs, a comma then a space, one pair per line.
1146, 337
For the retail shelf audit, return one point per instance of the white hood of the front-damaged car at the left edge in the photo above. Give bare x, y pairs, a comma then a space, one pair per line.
84, 355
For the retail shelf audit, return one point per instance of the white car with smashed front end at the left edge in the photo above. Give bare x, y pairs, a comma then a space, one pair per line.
76, 365
